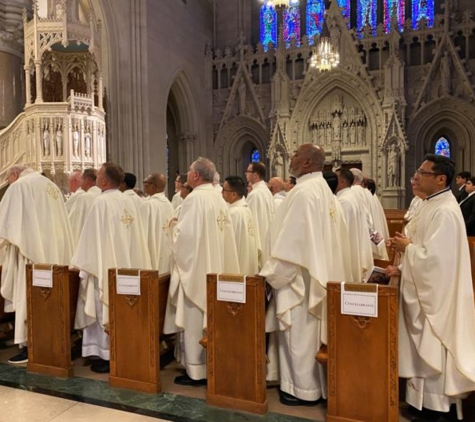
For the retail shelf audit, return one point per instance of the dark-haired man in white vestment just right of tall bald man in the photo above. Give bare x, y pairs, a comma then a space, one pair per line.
361, 255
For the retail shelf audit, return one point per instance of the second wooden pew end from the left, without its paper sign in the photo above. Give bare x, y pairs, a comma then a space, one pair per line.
136, 324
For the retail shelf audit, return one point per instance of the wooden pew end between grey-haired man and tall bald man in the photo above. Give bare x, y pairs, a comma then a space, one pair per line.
236, 346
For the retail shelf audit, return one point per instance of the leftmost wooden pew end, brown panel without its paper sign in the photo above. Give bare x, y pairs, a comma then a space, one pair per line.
50, 316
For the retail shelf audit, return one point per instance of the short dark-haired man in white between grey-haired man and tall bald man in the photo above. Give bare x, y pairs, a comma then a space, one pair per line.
234, 190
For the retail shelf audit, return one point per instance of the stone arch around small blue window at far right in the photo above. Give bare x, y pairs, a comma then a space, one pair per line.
448, 117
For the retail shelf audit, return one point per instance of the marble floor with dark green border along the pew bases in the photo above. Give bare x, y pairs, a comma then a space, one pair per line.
88, 397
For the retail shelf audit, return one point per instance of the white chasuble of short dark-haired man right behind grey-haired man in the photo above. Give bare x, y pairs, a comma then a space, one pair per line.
245, 235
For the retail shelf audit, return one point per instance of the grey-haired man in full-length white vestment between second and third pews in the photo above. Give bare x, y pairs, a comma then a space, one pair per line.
202, 243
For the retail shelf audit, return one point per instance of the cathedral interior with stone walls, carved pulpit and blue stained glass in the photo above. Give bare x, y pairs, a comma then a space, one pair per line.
153, 84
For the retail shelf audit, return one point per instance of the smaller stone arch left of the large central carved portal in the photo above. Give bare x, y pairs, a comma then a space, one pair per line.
235, 142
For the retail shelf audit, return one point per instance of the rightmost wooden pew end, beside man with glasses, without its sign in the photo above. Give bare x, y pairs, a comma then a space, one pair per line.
363, 360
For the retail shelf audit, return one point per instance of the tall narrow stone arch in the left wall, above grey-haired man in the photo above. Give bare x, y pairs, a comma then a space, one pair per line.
182, 101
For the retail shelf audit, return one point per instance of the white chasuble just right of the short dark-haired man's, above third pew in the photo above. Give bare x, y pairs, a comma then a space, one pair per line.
262, 205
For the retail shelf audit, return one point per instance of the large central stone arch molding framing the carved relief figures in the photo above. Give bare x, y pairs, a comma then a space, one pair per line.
318, 87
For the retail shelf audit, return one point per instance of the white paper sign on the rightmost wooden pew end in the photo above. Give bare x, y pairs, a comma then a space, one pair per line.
359, 299
